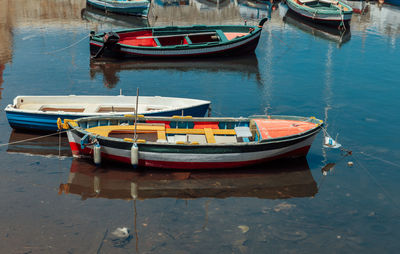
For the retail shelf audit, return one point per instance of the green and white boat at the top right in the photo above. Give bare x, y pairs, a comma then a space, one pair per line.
328, 12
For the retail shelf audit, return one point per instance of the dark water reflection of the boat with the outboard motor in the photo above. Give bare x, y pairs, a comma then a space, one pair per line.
245, 65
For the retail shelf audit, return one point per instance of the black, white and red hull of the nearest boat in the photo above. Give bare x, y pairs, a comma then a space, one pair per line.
196, 156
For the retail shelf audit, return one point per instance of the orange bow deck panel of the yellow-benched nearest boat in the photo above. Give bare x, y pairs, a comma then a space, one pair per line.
275, 128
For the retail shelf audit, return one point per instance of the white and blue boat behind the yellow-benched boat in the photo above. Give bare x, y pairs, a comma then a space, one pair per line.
41, 112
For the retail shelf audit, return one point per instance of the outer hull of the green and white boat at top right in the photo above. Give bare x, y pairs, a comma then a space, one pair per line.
330, 19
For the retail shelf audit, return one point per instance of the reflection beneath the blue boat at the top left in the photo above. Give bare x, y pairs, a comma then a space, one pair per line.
97, 16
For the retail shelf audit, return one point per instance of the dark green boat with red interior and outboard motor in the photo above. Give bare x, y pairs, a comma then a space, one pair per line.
177, 41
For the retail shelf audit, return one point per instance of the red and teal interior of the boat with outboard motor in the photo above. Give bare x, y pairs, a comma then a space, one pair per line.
151, 38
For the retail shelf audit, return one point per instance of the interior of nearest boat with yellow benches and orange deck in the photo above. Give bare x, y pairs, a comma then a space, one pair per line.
182, 131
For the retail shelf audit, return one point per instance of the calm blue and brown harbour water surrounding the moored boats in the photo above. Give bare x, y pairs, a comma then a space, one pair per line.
51, 203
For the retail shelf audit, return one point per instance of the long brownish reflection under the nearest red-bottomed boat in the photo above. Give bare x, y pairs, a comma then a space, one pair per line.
279, 180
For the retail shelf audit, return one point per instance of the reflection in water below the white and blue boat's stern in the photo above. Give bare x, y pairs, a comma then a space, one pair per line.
38, 144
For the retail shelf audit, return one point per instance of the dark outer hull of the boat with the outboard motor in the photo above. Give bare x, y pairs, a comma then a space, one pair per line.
231, 48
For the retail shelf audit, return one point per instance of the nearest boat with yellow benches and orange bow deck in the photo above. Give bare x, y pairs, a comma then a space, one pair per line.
185, 142
